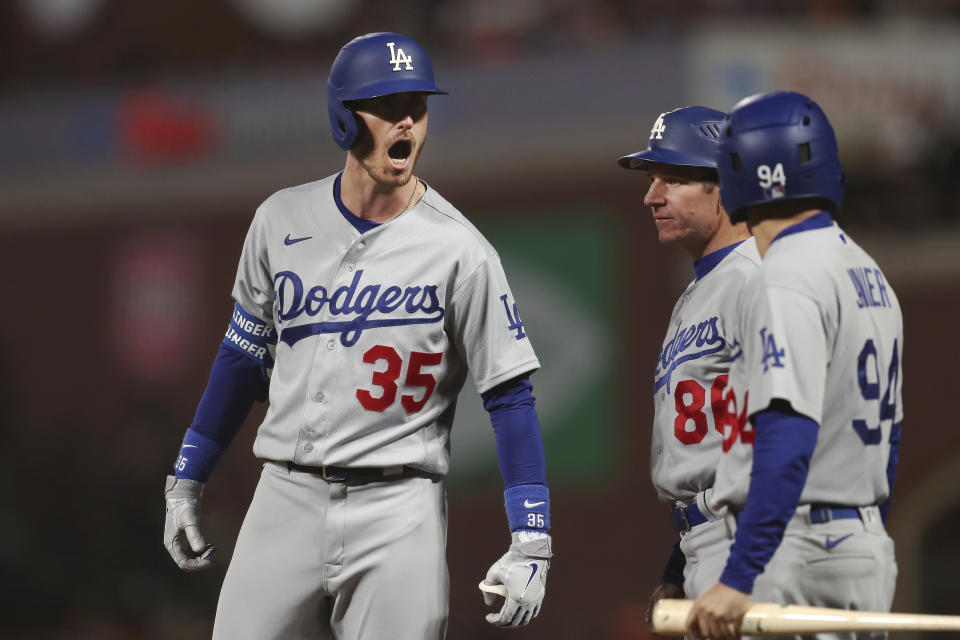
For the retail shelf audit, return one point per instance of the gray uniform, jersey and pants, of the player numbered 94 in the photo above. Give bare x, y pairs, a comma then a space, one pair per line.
820, 327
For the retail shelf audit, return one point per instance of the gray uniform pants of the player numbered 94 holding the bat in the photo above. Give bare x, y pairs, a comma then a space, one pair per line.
843, 564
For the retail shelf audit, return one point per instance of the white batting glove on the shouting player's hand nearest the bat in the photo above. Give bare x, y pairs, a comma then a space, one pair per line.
523, 571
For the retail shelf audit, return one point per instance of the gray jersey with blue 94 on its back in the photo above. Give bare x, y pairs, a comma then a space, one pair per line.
820, 327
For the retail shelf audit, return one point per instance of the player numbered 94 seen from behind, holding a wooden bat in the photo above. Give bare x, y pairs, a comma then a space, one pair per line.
812, 429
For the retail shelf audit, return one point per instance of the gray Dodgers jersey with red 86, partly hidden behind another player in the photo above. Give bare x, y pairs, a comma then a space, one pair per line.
691, 377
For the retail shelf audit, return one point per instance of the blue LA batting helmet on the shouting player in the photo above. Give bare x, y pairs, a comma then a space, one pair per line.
374, 65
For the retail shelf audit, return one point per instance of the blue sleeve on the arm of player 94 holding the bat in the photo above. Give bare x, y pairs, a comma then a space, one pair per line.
782, 450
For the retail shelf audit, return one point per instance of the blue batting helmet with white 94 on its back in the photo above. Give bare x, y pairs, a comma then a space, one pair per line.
774, 147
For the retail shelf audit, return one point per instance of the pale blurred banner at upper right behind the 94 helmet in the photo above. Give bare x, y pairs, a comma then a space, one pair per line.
891, 90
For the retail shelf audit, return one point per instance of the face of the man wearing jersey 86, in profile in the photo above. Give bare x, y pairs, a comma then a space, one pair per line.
685, 207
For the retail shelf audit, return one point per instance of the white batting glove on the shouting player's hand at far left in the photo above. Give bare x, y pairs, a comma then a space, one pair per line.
181, 531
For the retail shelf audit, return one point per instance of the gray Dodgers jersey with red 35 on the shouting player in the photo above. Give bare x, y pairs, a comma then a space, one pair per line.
374, 333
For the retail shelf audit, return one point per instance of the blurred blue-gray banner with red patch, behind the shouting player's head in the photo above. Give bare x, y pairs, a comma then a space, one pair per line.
238, 134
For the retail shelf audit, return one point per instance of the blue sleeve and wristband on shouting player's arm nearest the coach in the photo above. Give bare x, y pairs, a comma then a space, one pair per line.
513, 414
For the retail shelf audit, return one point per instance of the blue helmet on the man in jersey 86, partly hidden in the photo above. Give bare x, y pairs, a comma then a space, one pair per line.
686, 137
